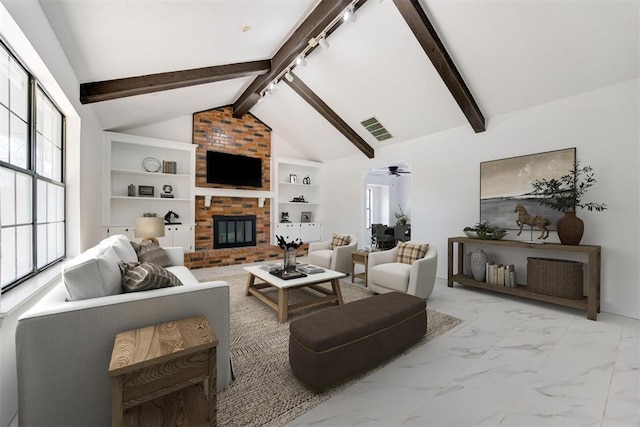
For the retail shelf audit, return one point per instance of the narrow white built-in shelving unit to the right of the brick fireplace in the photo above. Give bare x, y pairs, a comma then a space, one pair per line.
295, 178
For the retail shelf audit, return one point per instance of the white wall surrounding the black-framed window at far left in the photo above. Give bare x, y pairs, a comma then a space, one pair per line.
24, 27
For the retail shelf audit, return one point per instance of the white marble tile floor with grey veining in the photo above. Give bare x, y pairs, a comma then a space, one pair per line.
513, 362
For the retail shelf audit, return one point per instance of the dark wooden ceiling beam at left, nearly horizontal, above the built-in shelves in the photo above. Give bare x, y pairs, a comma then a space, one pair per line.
131, 86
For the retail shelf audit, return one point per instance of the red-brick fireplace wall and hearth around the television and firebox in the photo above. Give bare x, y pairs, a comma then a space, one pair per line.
218, 130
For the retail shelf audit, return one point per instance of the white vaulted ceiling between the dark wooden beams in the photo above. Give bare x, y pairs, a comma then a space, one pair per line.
512, 55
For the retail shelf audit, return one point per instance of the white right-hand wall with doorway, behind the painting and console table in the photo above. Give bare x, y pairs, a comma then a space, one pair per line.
602, 124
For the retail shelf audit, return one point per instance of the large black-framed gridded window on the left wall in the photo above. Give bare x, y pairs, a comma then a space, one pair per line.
32, 192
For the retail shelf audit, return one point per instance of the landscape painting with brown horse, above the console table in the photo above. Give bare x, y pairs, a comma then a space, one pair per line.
505, 190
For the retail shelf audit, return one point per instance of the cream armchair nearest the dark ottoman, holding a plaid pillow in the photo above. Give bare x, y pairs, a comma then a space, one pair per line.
385, 274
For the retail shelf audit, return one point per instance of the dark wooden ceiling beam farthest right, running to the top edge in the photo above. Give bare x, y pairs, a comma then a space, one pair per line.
426, 34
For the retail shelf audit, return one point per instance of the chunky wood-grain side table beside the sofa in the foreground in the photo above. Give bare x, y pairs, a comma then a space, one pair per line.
155, 374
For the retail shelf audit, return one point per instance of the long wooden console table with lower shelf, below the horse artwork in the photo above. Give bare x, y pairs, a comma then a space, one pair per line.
590, 303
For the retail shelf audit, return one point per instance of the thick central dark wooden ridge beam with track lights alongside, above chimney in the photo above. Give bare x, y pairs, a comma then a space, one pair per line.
316, 22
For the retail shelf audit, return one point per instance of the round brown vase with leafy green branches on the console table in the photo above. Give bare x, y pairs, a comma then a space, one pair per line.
565, 194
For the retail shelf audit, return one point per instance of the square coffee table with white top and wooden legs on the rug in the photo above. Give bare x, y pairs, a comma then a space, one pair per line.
282, 307
